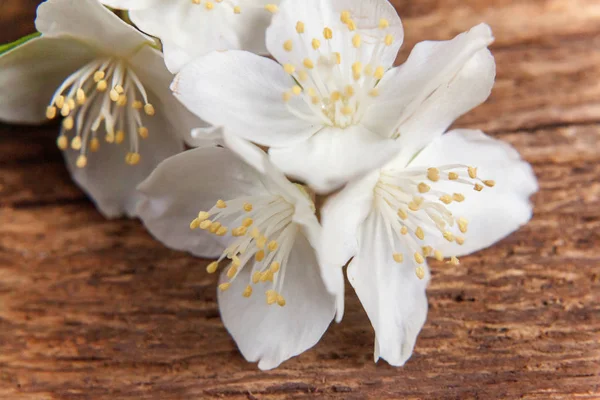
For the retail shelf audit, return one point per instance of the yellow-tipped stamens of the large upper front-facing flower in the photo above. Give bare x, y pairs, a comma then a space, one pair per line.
336, 79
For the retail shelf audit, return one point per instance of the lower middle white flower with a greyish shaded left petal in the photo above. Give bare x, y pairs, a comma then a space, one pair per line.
262, 228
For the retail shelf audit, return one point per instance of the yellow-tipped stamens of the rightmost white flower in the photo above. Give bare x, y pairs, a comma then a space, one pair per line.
416, 211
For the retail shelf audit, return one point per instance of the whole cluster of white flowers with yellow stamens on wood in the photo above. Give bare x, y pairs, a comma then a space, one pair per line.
322, 156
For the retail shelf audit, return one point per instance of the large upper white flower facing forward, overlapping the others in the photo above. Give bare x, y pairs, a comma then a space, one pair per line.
331, 108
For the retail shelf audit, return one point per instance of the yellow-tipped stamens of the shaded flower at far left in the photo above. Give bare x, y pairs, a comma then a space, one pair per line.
105, 92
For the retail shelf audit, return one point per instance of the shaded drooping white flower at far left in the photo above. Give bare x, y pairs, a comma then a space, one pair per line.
112, 89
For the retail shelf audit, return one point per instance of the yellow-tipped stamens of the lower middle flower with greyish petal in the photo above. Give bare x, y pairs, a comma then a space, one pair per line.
262, 240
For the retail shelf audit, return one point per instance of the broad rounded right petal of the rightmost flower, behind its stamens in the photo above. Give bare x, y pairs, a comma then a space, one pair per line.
495, 212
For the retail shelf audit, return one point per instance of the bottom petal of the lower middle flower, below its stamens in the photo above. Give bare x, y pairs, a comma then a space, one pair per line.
273, 334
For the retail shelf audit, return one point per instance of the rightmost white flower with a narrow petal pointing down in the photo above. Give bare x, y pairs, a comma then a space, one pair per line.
461, 193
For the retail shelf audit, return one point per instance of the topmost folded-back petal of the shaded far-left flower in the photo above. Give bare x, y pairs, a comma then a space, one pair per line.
89, 21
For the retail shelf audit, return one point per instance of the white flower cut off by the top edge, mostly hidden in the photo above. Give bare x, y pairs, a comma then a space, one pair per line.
189, 28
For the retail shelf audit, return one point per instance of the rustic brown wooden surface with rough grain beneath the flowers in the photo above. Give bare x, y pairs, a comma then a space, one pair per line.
96, 309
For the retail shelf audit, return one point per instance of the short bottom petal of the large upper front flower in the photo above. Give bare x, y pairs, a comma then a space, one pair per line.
334, 156
